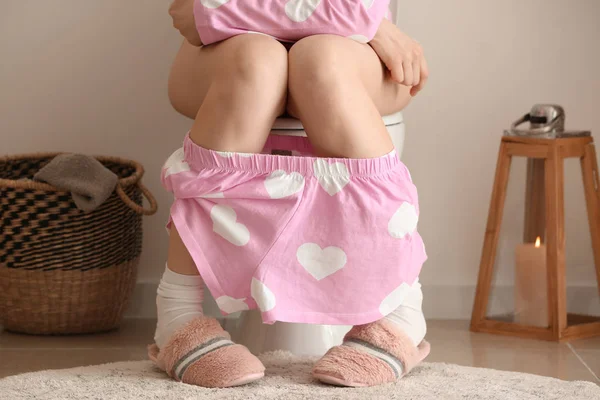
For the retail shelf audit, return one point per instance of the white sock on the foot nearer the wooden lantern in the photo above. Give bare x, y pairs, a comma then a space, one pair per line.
409, 316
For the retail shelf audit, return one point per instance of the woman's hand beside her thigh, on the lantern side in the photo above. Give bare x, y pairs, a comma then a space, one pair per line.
402, 55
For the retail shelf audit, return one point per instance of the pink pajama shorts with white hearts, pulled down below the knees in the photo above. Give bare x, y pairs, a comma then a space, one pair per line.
304, 239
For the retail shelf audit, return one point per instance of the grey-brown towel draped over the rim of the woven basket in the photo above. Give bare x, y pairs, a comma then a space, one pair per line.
89, 182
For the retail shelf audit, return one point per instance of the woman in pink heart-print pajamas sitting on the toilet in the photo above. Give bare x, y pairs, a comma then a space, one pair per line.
327, 236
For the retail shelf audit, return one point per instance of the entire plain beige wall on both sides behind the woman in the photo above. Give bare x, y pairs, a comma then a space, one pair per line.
91, 77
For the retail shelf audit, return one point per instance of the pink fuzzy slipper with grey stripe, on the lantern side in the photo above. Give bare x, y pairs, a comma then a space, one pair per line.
371, 355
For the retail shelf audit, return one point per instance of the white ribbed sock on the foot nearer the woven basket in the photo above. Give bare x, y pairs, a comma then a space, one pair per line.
178, 301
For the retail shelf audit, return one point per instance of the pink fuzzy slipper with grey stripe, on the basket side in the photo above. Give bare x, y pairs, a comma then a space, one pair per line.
200, 353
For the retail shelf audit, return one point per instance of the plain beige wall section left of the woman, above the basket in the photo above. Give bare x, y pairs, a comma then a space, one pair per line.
91, 76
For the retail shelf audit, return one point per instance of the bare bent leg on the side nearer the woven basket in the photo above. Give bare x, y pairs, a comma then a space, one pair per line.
234, 90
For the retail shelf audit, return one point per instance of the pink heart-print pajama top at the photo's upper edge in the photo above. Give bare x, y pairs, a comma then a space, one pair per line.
289, 20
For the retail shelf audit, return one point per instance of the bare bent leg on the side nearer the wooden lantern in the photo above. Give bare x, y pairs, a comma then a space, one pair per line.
339, 89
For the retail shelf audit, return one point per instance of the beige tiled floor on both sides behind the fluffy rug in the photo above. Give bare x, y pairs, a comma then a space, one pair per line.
451, 342
